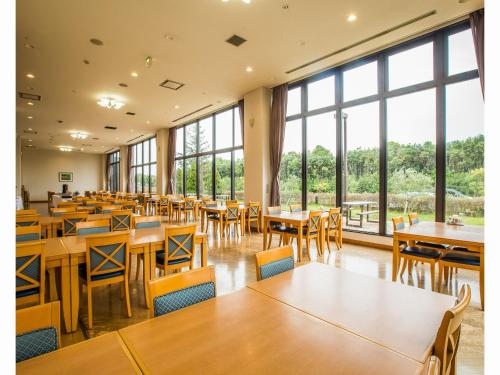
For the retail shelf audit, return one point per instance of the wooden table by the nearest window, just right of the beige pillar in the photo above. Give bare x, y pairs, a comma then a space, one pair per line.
298, 220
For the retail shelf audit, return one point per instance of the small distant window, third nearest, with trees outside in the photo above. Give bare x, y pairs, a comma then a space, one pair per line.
143, 168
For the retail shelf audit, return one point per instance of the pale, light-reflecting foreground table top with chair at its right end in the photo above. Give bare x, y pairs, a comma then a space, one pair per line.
402, 318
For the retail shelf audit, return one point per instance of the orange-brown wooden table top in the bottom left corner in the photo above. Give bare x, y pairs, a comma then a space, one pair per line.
106, 354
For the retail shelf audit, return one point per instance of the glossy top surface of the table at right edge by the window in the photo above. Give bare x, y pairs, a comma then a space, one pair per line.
442, 232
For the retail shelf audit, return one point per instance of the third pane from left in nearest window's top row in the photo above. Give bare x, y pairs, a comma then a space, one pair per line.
360, 81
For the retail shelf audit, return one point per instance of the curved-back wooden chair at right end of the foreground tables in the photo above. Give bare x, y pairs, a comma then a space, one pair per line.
448, 336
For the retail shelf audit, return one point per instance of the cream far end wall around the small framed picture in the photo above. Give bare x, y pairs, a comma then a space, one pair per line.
40, 171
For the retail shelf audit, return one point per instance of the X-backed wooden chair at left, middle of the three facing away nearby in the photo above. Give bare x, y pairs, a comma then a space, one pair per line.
107, 262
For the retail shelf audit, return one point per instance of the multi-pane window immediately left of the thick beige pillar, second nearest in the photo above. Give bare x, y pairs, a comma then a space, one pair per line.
209, 157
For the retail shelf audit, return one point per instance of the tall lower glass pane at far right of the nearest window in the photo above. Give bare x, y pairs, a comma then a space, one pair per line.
465, 152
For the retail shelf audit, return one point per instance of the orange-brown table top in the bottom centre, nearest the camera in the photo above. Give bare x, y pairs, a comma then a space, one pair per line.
248, 333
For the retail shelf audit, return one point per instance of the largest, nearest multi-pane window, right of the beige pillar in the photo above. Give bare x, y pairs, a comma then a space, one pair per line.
396, 132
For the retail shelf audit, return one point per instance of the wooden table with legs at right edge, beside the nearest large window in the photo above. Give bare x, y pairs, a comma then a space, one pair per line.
469, 236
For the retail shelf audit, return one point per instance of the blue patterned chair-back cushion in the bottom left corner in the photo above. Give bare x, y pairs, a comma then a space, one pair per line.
34, 343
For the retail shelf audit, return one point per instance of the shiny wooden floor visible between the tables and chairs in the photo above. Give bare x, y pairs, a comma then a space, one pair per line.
235, 268
